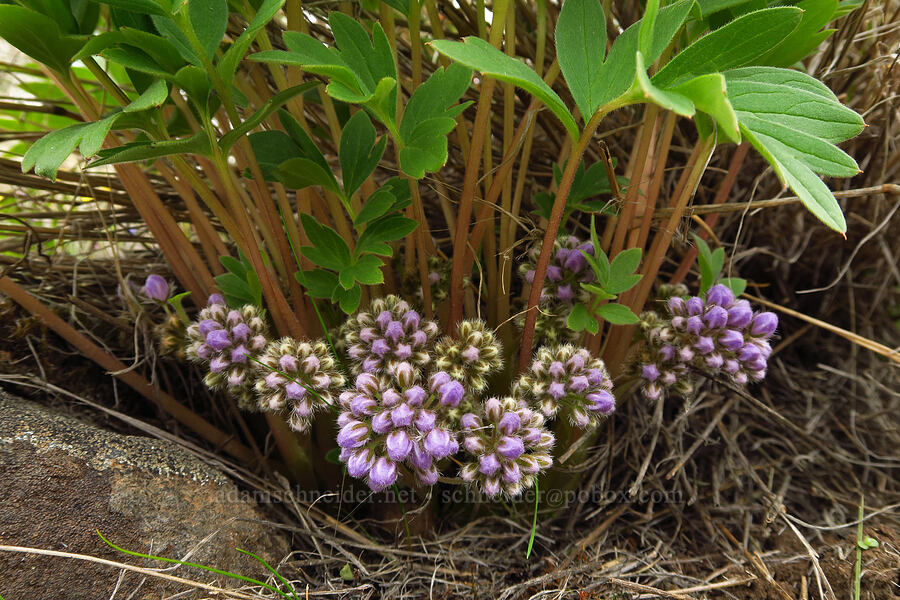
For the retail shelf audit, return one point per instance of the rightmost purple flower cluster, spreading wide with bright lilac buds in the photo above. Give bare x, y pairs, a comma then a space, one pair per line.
718, 334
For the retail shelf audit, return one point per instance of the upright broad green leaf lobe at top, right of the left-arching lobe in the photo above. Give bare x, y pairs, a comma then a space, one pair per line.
580, 48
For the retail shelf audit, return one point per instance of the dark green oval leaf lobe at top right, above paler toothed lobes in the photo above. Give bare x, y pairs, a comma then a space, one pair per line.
735, 45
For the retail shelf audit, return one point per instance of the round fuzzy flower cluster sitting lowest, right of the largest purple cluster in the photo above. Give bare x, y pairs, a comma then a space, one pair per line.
509, 446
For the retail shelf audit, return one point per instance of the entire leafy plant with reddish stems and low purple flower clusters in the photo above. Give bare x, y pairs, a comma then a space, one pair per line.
314, 162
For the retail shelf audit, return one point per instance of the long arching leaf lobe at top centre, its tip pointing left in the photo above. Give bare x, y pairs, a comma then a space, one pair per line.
478, 54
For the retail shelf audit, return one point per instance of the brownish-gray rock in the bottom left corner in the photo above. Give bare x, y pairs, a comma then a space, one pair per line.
62, 480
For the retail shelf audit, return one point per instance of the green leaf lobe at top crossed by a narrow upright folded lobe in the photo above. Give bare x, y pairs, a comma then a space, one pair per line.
618, 71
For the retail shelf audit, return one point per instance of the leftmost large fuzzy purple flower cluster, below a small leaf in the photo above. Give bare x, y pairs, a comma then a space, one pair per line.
227, 341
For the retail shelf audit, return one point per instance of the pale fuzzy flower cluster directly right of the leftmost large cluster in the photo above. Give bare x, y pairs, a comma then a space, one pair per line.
297, 377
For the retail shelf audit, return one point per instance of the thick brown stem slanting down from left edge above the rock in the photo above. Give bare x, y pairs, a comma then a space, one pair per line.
164, 401
